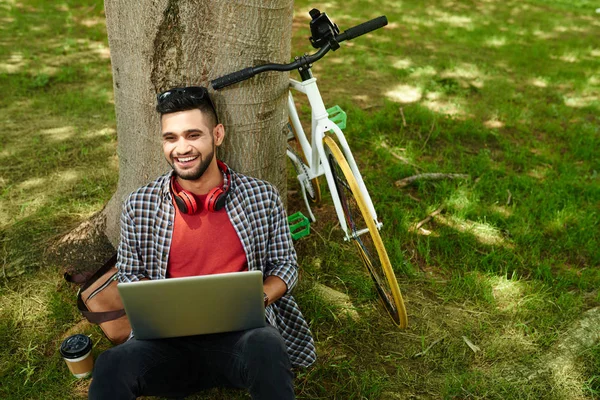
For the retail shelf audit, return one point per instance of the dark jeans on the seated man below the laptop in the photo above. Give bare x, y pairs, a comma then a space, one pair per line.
256, 360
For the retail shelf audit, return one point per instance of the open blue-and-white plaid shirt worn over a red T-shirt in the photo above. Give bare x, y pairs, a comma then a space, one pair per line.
256, 213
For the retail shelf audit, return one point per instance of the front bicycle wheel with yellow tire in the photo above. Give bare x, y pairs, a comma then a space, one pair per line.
370, 247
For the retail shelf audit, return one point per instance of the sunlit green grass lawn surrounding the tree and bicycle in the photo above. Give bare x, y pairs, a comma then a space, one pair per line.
506, 92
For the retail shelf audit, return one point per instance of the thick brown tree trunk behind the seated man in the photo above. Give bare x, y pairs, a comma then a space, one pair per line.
159, 44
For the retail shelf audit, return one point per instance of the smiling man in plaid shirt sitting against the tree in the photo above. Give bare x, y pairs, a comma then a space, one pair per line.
203, 218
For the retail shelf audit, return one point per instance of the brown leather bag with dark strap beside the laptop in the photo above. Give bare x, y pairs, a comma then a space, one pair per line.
100, 303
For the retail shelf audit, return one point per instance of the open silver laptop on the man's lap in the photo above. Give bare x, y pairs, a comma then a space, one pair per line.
194, 305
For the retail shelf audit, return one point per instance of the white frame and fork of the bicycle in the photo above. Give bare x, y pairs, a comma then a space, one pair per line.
315, 154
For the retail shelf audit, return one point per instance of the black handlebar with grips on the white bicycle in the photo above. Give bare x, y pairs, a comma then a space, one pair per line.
304, 61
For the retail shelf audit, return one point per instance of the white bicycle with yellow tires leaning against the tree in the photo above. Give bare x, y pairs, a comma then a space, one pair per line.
322, 156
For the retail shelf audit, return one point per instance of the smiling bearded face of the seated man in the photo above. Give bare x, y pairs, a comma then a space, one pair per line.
188, 143
